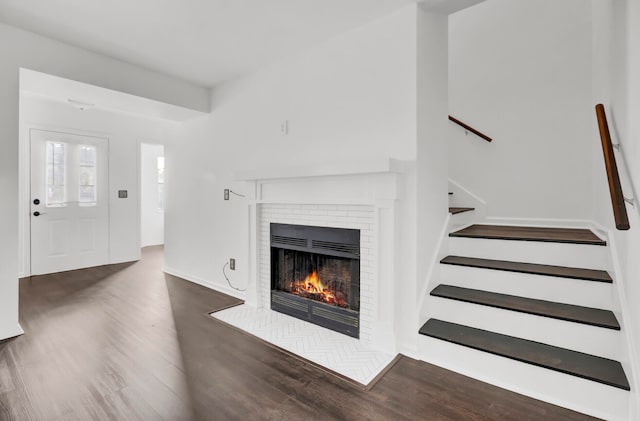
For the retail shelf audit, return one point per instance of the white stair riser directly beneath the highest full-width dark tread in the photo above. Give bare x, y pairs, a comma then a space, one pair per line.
558, 254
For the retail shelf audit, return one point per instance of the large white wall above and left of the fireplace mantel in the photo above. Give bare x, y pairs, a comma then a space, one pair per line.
351, 98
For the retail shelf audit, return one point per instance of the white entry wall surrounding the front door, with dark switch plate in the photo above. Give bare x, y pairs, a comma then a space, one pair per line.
124, 133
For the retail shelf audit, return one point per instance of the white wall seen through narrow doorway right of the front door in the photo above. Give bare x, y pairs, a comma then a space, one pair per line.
151, 215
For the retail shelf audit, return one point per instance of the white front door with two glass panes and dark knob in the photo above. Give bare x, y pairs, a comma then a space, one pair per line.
69, 202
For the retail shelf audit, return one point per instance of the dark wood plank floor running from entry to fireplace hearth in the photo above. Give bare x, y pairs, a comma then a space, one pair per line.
127, 342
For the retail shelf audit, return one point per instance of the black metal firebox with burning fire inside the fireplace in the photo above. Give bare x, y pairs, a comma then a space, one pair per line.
315, 275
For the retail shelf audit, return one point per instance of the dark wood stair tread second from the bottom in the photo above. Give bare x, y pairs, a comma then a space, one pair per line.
568, 312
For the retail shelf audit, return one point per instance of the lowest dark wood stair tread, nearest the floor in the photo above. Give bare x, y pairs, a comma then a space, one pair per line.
586, 366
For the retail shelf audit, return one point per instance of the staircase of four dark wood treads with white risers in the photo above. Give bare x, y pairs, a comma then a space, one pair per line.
530, 309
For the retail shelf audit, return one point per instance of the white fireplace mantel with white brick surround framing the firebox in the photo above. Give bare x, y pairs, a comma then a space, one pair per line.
362, 196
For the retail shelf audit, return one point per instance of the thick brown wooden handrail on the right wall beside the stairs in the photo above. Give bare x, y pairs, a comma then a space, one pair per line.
615, 188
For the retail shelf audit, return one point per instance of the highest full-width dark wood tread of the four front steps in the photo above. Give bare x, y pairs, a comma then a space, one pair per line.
546, 234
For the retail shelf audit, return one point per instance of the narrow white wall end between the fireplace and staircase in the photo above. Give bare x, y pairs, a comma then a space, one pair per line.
432, 164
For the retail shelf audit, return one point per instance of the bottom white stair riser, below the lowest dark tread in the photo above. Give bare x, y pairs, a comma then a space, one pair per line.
547, 385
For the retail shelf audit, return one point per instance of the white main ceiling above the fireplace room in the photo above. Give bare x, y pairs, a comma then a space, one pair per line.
205, 42
